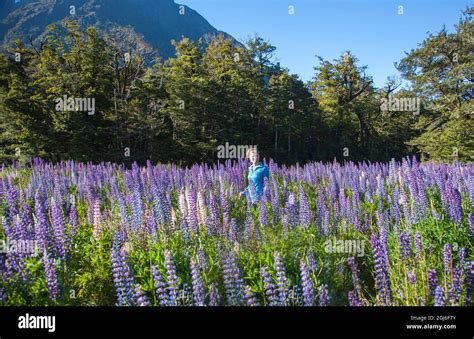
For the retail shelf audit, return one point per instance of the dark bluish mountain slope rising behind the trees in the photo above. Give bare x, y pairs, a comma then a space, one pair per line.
156, 22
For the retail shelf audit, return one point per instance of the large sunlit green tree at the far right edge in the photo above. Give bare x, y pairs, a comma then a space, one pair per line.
441, 72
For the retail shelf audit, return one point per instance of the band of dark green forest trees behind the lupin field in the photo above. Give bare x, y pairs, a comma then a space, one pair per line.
183, 108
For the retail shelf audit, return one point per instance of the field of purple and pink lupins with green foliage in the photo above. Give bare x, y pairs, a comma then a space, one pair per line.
162, 235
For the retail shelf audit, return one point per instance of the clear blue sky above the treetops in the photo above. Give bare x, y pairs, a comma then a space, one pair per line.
372, 29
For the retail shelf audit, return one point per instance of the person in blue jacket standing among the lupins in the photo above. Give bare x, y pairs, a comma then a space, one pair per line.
257, 172
